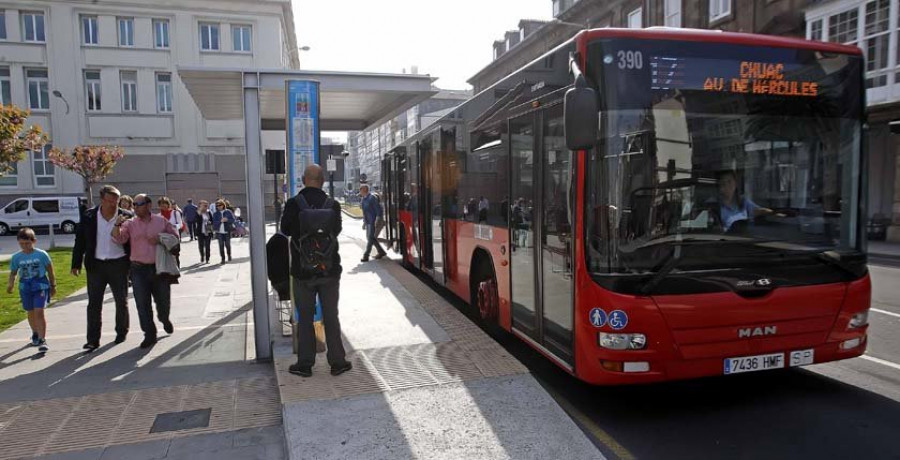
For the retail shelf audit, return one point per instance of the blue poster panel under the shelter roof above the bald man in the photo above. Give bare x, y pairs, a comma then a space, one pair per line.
302, 129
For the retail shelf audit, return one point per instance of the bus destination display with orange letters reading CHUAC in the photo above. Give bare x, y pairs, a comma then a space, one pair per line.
730, 76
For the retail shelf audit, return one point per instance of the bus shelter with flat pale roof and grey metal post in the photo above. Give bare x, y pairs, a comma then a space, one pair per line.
349, 102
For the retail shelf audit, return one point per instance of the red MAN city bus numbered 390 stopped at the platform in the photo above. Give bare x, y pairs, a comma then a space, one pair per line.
650, 205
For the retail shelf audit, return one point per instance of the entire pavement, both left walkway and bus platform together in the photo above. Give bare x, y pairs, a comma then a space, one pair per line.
426, 383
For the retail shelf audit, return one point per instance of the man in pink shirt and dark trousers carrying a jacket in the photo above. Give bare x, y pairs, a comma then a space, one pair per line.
142, 233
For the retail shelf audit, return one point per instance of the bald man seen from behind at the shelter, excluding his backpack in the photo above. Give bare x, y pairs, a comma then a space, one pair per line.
307, 285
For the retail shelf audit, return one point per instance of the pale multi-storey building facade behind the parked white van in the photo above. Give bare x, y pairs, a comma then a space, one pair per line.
105, 72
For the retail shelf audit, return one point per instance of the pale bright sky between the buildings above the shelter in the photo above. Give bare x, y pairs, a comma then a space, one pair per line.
451, 40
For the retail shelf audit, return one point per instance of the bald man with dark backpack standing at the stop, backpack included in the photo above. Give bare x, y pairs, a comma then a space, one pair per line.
313, 221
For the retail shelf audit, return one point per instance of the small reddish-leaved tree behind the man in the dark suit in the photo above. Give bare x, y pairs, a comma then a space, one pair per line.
92, 162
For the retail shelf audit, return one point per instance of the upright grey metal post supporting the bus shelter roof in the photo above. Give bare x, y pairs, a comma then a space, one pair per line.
256, 210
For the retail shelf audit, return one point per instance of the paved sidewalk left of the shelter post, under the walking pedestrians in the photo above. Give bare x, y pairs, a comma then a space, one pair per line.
71, 405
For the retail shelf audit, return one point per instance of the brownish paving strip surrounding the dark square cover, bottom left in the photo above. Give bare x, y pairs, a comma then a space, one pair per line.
126, 417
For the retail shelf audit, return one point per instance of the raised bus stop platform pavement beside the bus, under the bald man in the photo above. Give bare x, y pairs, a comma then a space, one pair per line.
426, 381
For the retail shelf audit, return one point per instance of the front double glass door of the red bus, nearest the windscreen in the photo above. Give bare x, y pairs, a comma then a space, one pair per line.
541, 230
